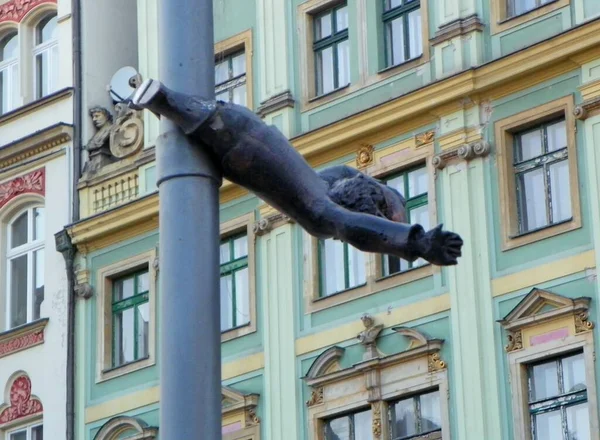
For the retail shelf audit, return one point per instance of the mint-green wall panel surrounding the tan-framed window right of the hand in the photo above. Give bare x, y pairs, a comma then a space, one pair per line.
564, 244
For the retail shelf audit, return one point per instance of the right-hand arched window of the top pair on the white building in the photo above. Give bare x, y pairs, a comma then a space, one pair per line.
45, 55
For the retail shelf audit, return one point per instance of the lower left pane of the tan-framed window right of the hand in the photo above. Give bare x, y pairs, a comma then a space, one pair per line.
532, 199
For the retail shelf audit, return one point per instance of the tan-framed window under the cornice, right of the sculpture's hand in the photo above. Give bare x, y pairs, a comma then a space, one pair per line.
538, 181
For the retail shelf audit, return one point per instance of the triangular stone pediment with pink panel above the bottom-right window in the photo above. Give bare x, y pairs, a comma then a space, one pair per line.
543, 316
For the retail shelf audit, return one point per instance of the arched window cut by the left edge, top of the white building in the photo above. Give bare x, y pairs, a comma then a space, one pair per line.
9, 72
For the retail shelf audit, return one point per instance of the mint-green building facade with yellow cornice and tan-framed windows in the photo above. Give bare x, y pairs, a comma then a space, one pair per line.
483, 114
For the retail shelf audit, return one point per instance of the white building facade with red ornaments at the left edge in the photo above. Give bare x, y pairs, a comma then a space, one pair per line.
36, 133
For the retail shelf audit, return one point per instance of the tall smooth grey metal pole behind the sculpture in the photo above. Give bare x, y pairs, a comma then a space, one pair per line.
190, 363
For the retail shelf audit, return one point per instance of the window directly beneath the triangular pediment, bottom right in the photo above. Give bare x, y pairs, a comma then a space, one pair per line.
558, 399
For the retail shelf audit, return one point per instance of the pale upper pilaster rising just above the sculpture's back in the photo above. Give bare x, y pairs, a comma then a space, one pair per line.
276, 99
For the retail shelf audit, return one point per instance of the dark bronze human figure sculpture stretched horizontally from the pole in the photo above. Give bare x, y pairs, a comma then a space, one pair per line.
338, 202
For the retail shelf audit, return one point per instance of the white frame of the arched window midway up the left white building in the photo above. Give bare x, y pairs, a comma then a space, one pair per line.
28, 249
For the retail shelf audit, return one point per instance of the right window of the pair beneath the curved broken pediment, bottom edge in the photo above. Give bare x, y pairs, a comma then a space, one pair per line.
416, 416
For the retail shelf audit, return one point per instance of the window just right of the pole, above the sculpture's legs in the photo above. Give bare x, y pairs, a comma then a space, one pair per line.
230, 78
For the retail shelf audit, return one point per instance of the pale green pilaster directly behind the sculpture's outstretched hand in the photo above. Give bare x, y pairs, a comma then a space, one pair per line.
476, 394
